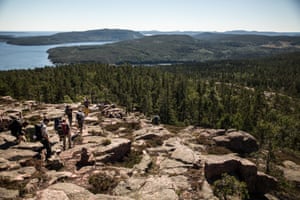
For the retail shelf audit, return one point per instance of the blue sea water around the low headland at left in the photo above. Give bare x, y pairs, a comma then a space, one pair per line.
29, 57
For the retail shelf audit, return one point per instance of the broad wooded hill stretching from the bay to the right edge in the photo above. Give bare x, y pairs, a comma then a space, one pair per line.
177, 49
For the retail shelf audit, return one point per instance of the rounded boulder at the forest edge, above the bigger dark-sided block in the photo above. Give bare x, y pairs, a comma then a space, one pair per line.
237, 141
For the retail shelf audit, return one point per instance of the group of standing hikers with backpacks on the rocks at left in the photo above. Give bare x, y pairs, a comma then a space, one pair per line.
62, 127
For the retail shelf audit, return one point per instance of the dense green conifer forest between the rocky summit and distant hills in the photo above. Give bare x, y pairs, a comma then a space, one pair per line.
260, 96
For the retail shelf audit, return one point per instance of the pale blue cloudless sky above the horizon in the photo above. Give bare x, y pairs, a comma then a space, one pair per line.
164, 15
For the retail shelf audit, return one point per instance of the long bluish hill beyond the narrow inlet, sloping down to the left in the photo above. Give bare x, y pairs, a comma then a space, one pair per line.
85, 36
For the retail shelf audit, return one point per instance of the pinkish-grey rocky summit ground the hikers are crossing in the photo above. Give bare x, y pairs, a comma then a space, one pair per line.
128, 157
